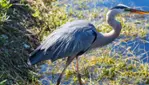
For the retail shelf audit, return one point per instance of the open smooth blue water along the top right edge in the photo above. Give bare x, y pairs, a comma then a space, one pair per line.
140, 4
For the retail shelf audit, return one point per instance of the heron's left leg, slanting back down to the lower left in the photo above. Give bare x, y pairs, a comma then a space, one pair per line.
69, 60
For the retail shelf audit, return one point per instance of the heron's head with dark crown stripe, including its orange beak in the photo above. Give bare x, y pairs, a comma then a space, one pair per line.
120, 8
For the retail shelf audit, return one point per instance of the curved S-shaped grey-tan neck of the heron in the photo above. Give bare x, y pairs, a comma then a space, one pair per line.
104, 39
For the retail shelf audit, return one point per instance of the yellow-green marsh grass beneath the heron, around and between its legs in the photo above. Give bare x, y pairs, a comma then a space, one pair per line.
102, 69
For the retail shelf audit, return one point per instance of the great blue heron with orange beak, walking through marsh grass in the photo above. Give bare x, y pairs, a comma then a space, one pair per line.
75, 38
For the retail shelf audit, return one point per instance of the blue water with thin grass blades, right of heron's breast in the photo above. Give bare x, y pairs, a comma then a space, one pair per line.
137, 48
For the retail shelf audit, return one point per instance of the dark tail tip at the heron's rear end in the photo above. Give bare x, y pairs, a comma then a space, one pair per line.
35, 57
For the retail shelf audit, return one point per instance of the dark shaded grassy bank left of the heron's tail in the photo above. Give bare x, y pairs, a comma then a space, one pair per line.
15, 42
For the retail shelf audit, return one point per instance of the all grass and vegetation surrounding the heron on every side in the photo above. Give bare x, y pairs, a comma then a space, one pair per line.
23, 25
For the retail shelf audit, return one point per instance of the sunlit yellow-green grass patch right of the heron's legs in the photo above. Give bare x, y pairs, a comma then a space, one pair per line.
114, 71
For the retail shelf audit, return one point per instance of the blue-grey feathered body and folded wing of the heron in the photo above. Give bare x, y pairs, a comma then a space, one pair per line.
69, 40
